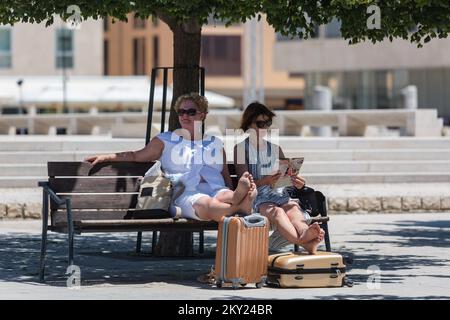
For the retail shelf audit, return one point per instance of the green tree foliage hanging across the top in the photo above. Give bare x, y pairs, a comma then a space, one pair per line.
289, 17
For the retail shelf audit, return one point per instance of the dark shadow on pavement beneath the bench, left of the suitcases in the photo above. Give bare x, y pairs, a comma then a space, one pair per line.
103, 259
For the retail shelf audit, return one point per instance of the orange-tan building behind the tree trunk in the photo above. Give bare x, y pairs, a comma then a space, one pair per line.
134, 48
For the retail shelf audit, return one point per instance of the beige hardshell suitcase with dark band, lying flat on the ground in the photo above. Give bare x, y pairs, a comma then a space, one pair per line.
302, 270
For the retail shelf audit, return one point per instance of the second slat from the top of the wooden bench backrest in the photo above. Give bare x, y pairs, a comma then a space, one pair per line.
94, 185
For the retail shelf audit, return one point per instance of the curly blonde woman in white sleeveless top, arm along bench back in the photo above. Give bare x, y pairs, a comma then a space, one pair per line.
198, 162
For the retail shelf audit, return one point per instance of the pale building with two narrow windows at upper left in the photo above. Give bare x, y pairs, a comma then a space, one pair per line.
33, 49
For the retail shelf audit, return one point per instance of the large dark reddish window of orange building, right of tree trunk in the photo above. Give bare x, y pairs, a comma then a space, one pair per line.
221, 55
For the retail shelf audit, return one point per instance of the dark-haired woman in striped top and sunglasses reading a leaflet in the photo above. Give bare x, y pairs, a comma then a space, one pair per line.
259, 157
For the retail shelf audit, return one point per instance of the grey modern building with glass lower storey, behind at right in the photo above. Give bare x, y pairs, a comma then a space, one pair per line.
366, 75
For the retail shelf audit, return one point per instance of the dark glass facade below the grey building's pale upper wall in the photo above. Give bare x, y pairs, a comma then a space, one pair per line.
380, 89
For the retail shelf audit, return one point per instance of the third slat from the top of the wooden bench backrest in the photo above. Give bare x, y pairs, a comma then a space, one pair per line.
99, 201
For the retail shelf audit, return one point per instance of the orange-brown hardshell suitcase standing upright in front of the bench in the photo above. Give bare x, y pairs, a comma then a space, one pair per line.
242, 250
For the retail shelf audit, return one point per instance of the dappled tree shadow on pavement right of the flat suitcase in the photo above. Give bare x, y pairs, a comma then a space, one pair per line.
411, 234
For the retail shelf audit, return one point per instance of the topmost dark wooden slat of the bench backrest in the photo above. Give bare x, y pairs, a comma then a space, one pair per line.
67, 168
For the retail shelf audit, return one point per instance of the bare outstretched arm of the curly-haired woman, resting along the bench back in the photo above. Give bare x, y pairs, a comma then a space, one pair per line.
151, 152
